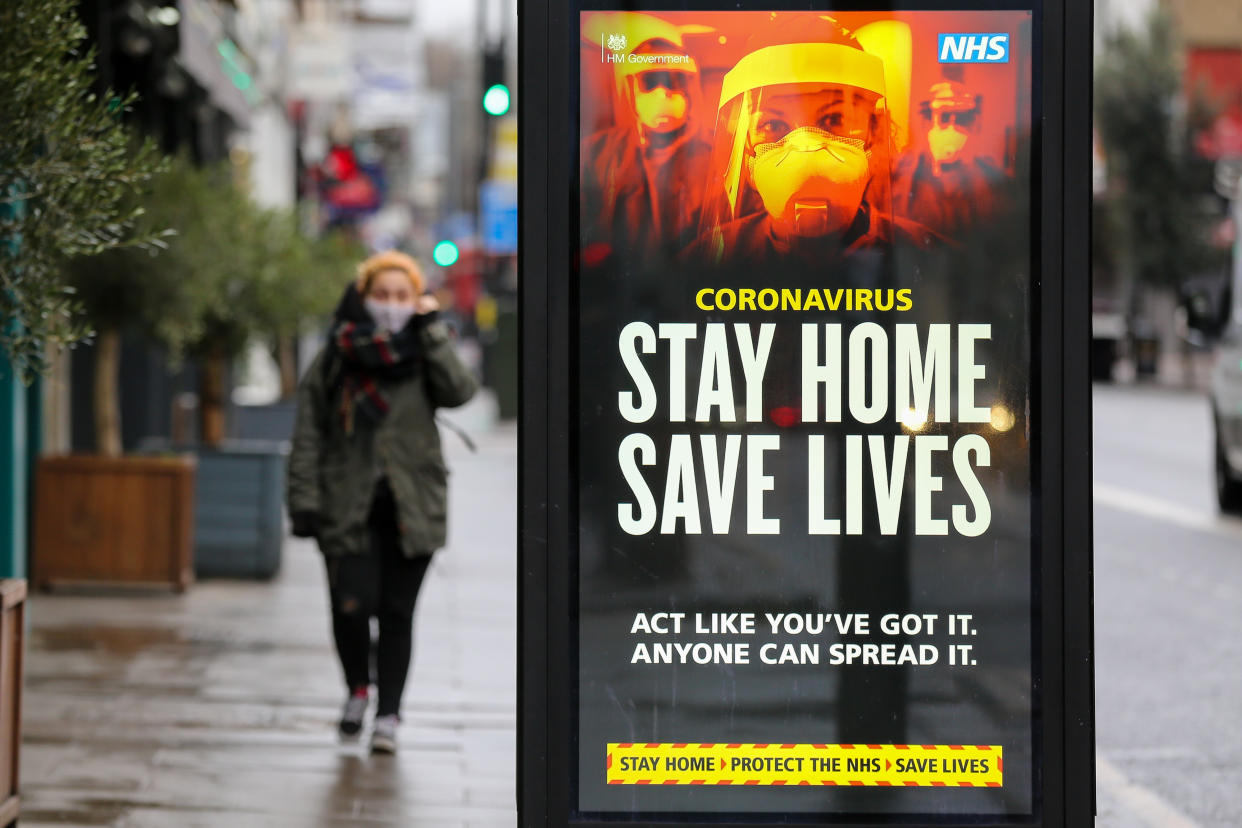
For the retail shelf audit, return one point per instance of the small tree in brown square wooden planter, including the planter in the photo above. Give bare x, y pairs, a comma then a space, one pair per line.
107, 517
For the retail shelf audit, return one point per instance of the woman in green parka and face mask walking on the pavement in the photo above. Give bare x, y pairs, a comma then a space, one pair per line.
367, 479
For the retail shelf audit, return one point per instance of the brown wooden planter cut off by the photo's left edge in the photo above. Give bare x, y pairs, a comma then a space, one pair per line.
13, 610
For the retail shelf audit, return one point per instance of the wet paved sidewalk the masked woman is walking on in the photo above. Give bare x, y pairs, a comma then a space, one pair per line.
218, 708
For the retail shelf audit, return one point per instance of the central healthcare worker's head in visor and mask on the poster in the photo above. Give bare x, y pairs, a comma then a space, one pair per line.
803, 150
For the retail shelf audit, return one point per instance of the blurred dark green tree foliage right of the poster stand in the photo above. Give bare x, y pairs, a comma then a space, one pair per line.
1154, 213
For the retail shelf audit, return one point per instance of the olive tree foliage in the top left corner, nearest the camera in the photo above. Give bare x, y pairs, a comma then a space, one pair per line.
69, 176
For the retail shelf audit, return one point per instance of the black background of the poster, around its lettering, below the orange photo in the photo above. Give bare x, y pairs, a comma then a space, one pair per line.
982, 276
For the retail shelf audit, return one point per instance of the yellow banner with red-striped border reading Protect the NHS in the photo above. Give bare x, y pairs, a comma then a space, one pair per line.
856, 765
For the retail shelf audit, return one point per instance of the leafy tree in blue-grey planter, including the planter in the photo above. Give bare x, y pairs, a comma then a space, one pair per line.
271, 281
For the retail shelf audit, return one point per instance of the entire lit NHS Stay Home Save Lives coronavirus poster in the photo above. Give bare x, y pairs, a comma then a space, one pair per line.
805, 563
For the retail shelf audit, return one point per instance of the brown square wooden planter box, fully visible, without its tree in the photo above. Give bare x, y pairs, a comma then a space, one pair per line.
114, 521
